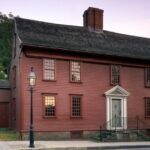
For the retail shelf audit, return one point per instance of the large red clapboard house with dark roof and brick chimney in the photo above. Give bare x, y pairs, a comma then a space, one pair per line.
87, 78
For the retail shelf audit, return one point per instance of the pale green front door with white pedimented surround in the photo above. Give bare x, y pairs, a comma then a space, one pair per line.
116, 108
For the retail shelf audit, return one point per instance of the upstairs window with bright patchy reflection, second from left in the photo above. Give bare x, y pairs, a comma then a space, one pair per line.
75, 71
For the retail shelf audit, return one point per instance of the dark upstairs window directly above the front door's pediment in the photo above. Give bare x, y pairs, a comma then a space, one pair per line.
115, 74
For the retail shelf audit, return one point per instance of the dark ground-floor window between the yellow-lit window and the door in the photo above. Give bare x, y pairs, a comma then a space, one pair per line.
76, 106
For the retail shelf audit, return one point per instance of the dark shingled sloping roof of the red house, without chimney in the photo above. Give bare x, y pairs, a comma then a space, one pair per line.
80, 39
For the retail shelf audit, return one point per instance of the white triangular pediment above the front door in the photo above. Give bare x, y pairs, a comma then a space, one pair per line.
117, 91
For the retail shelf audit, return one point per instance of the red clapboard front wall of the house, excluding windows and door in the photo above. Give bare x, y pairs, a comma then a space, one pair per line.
95, 79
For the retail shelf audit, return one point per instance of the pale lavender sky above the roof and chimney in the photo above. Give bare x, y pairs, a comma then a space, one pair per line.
123, 16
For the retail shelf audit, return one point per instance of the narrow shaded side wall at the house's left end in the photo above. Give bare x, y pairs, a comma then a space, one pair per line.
15, 101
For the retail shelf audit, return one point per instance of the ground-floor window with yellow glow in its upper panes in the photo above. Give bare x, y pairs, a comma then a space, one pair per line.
49, 105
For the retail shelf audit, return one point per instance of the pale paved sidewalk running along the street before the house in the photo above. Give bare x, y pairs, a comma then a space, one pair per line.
69, 145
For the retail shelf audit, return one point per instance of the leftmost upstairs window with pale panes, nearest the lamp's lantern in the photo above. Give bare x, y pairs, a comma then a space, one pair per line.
49, 69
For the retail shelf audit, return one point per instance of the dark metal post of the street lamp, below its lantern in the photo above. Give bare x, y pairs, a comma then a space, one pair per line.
31, 119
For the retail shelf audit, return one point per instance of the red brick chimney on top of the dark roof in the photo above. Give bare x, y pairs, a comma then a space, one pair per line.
93, 19
